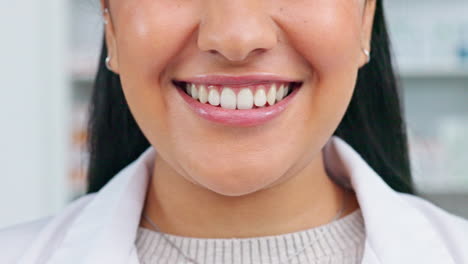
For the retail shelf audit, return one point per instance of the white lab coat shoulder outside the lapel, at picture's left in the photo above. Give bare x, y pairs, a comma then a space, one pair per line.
18, 238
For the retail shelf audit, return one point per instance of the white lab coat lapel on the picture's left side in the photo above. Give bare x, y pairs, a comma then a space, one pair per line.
106, 229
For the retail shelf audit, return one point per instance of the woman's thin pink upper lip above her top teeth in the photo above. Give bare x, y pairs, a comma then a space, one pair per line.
237, 80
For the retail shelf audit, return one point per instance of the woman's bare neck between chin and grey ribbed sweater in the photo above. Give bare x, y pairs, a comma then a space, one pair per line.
308, 199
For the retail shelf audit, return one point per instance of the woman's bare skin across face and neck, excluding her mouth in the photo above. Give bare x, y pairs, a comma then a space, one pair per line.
217, 181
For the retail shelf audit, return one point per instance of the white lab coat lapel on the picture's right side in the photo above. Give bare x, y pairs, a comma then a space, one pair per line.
396, 231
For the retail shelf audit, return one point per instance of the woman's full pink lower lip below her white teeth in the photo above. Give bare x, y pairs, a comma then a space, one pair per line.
242, 118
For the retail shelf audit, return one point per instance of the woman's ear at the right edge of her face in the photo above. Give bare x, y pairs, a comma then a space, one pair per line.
366, 32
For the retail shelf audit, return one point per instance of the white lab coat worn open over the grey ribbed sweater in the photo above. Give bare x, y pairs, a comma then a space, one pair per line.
101, 227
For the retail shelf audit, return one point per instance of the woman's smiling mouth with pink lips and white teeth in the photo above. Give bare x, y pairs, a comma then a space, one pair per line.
237, 101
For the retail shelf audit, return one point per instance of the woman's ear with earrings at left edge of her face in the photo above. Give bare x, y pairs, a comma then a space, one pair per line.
110, 36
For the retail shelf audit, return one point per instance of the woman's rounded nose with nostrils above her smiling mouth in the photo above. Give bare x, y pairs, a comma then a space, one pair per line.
236, 36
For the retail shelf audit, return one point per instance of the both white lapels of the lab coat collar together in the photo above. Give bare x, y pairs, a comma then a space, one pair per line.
105, 229
